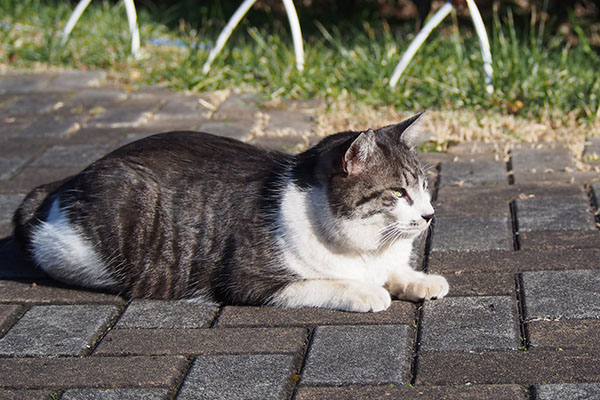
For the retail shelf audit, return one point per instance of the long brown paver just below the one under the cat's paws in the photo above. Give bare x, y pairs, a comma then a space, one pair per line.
202, 341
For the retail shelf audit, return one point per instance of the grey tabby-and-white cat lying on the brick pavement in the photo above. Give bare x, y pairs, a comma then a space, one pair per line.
190, 215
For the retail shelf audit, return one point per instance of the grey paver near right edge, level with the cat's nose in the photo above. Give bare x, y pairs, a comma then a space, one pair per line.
558, 214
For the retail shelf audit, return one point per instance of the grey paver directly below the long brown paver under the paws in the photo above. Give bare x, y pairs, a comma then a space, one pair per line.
343, 355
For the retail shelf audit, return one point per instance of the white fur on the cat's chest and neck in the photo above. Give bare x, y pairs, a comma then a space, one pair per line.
317, 246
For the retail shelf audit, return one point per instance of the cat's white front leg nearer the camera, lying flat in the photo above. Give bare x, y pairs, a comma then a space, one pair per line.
336, 294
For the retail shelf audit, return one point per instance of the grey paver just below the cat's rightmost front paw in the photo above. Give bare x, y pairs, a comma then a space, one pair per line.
470, 323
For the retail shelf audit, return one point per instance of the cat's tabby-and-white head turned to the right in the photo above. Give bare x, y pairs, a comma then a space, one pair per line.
375, 187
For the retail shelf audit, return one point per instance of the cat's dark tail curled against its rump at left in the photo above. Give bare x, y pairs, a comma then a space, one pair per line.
31, 211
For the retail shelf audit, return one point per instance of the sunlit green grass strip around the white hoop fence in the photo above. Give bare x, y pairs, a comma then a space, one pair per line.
538, 73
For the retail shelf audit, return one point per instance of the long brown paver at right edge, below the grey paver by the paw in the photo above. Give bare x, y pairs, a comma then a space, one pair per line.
508, 367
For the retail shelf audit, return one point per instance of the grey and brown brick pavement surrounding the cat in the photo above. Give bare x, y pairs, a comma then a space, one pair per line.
518, 240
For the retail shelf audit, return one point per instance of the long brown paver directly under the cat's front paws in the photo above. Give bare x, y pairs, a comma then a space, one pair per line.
400, 312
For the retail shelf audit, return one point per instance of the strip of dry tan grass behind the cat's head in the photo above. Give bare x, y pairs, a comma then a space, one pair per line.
446, 128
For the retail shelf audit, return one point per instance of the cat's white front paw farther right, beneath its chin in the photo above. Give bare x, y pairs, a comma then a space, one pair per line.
408, 284
